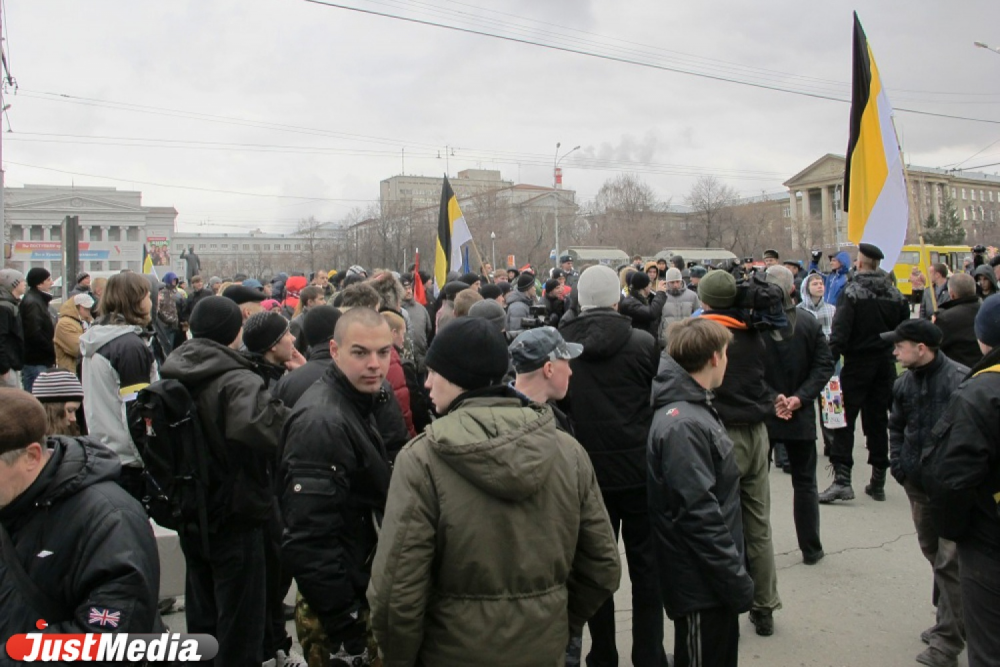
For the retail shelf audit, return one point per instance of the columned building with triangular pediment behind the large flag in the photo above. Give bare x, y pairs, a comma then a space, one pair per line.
818, 219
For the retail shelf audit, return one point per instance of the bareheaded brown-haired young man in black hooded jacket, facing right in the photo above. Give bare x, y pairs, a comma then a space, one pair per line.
694, 499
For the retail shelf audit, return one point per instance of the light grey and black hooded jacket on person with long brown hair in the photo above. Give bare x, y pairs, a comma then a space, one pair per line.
117, 363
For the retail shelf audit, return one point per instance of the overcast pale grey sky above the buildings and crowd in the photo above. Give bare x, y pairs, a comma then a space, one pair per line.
308, 107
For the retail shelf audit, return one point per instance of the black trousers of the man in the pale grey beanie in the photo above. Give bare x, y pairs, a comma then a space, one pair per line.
629, 515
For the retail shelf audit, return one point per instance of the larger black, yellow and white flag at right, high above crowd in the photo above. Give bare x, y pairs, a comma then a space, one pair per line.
874, 183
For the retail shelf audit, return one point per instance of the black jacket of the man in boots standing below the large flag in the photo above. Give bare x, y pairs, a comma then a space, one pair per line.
869, 306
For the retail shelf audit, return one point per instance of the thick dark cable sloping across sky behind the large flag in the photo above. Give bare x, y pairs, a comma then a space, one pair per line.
631, 61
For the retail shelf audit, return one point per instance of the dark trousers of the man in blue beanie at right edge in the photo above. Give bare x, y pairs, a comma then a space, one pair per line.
980, 577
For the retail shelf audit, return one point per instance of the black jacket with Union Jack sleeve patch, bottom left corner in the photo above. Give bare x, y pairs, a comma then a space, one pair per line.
101, 553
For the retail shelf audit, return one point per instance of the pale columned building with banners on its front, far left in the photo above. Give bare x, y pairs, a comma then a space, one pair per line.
114, 226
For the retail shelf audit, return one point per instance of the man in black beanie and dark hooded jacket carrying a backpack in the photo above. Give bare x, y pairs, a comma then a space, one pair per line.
225, 590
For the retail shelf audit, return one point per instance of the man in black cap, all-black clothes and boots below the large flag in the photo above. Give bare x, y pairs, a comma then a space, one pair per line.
869, 306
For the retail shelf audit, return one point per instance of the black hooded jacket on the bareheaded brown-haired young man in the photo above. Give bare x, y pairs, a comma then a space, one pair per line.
694, 499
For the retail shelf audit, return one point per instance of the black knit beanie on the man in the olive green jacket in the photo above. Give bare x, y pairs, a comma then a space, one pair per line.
469, 352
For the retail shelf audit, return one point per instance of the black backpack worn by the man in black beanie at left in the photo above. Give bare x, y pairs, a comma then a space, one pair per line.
175, 453
